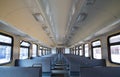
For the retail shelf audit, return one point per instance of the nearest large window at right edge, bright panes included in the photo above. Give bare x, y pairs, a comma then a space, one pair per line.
114, 48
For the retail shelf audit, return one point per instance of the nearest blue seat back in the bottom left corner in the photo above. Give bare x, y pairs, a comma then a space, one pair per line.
8, 71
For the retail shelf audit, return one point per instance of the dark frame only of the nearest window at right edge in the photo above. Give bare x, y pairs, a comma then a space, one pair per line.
109, 47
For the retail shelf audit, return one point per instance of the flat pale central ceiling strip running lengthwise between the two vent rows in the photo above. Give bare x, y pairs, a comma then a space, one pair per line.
57, 12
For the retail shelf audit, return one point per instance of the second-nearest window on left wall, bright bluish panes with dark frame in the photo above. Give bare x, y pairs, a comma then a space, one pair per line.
24, 50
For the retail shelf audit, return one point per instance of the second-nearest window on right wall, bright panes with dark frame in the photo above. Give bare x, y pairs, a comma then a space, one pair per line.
96, 50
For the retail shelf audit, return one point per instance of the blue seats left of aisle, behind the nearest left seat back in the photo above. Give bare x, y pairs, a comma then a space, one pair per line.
45, 61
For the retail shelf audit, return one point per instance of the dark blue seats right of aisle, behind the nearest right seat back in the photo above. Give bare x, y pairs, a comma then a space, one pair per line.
75, 62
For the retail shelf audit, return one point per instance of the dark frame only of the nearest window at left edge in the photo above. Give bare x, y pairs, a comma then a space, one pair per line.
6, 44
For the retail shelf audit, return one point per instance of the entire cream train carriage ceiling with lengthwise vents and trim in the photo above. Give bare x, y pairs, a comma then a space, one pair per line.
63, 23
